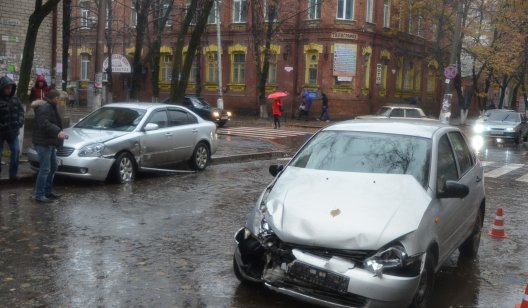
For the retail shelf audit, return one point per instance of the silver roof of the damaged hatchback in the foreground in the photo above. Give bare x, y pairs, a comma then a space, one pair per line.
420, 128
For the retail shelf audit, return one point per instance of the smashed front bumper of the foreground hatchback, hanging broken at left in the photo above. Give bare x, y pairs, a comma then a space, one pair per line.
329, 279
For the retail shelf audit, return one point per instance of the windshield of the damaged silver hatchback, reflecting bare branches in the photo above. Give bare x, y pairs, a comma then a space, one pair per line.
367, 152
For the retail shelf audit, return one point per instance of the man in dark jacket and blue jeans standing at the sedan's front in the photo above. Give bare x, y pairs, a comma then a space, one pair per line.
47, 135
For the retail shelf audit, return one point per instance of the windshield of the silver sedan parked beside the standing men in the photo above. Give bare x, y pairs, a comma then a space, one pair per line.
112, 118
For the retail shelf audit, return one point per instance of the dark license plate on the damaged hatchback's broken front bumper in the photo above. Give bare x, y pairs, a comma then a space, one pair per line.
319, 277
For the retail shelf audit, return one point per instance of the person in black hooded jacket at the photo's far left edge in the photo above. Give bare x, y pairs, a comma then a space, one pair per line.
11, 120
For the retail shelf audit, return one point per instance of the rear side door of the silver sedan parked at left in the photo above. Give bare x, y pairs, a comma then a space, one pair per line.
184, 127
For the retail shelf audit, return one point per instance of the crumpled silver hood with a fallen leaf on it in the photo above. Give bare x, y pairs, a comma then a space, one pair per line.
344, 210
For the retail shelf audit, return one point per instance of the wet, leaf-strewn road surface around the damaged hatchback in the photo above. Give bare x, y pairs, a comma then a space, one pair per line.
166, 240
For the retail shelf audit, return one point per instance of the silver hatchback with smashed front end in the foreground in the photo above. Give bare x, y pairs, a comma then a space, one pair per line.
364, 215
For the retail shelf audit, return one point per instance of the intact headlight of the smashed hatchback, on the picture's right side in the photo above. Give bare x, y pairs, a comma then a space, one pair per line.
393, 261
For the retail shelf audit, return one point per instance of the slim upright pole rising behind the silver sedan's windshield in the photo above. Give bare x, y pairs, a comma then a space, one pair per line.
99, 53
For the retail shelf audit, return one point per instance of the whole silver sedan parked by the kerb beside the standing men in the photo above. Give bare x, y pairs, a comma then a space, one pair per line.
119, 139
